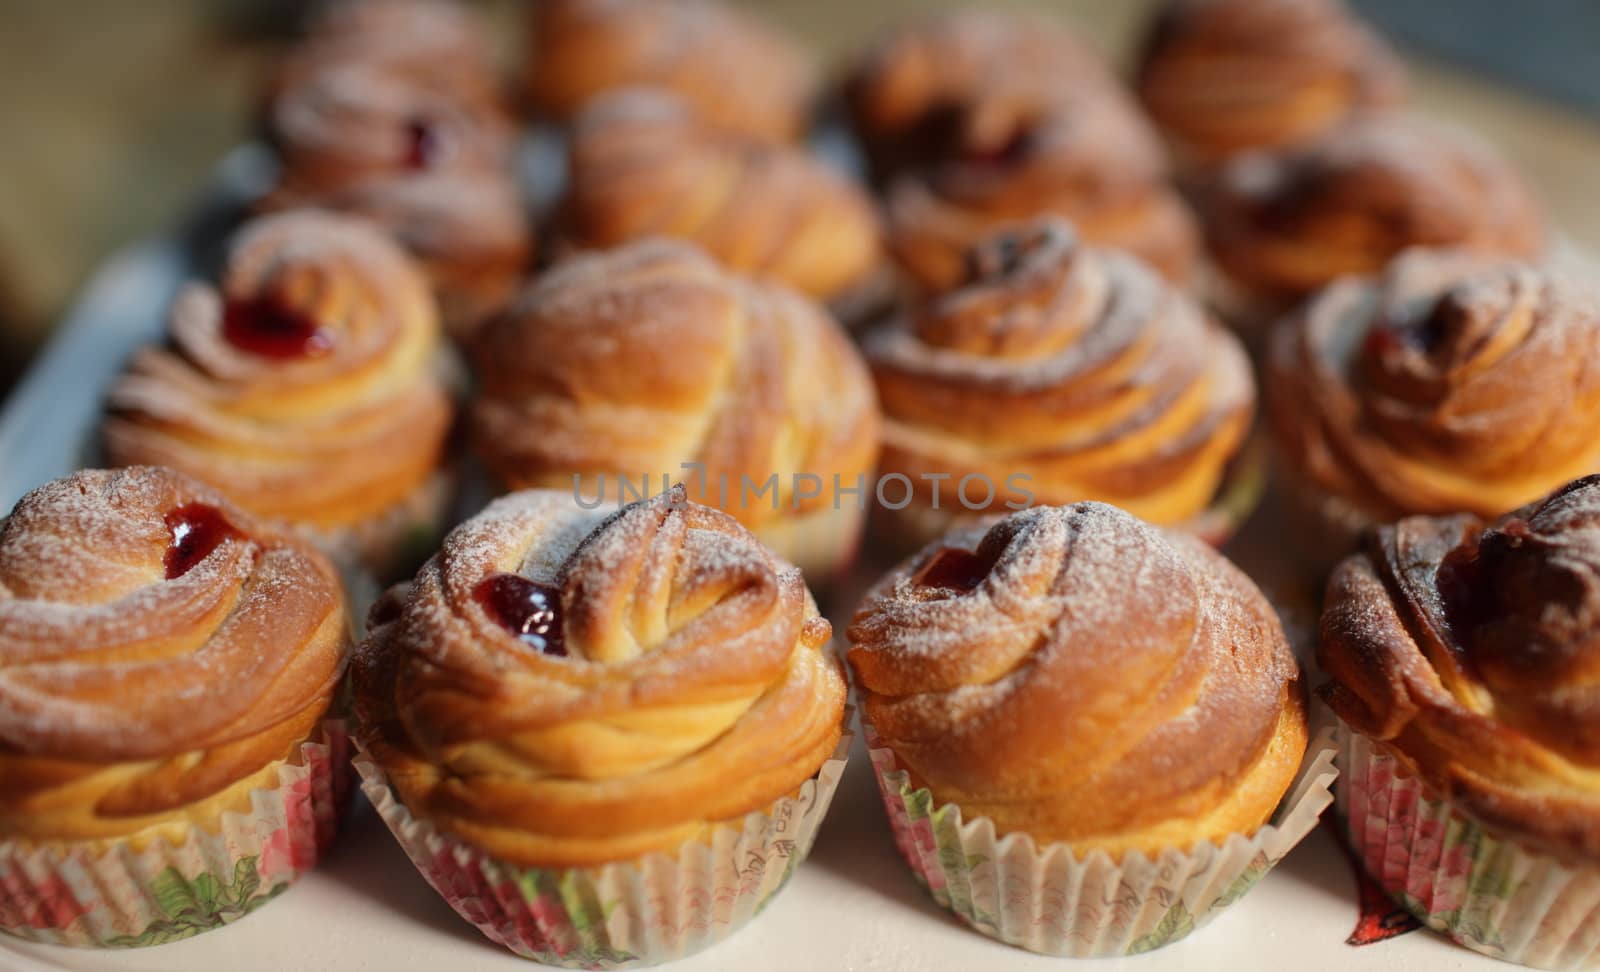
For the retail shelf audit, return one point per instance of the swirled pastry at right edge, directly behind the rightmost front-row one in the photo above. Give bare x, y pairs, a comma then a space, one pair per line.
1450, 384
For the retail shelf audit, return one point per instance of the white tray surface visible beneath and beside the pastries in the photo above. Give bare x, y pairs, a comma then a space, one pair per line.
852, 907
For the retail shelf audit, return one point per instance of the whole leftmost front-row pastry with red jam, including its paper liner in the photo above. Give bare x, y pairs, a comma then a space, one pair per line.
167, 671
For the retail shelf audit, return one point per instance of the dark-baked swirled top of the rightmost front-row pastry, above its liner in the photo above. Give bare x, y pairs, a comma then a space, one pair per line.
1473, 653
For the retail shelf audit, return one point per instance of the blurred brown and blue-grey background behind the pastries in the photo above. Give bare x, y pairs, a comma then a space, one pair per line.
114, 113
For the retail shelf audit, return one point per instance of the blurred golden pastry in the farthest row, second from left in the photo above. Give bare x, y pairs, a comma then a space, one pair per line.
737, 71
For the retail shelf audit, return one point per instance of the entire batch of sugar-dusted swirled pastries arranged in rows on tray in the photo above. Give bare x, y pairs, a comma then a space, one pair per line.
606, 723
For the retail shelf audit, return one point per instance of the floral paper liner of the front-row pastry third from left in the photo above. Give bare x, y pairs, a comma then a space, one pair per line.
1049, 901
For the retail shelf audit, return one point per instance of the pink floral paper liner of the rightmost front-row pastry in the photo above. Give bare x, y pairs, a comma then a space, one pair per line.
1489, 894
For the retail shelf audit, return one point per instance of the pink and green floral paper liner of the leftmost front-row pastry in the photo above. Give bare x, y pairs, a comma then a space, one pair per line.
113, 896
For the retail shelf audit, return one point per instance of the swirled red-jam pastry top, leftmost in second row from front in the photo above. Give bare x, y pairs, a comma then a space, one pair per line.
303, 384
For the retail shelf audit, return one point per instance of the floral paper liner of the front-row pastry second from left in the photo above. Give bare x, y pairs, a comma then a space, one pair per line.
646, 912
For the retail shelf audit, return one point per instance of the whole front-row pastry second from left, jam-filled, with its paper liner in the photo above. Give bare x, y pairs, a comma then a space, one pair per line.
639, 696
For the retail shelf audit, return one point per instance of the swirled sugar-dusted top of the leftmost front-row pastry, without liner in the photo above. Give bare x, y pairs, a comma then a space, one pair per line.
158, 647
